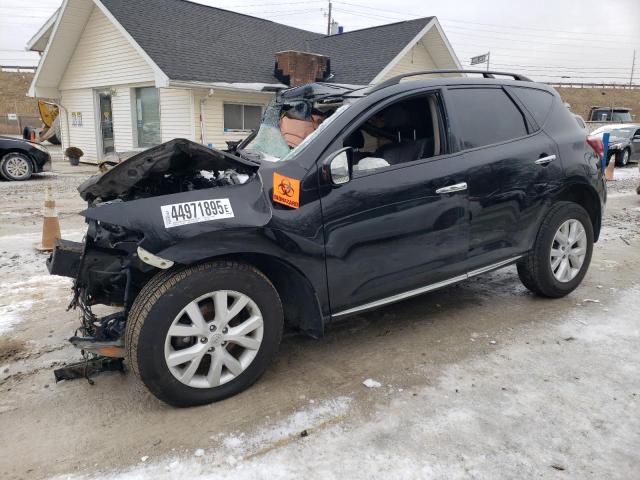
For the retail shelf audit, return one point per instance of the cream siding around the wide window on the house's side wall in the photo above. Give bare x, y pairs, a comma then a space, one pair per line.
214, 114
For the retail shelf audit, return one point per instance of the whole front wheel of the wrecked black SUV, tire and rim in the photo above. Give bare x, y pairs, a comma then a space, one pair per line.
204, 333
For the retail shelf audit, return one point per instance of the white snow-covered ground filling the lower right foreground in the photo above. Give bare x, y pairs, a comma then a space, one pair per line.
485, 417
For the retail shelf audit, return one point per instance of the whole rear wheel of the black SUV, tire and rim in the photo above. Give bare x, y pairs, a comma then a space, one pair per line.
561, 253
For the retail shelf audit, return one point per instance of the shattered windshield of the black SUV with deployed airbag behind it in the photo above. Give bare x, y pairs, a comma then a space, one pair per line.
287, 128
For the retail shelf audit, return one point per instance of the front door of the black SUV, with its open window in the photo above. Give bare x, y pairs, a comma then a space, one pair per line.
395, 228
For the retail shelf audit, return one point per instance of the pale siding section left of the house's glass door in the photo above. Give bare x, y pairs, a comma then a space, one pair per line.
84, 136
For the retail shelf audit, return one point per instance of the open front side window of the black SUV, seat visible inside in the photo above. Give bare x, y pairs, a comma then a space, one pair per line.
407, 130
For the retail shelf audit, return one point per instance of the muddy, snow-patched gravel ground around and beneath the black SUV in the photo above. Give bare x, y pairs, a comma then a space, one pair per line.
479, 380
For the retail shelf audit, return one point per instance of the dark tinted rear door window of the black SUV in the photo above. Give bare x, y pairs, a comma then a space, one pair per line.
486, 116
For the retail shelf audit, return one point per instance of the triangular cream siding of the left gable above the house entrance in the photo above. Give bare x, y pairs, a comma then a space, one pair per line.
103, 57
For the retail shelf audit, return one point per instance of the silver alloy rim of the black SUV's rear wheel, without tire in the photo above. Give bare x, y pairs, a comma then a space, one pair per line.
568, 250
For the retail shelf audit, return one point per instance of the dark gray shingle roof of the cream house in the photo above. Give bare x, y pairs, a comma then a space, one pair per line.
194, 42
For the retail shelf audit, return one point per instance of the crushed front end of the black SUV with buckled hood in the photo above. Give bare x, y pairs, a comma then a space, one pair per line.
125, 232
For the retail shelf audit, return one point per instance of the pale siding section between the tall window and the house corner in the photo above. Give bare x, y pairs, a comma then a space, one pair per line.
177, 118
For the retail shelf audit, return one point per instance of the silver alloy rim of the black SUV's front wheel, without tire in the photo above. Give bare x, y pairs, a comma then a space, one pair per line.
214, 339
